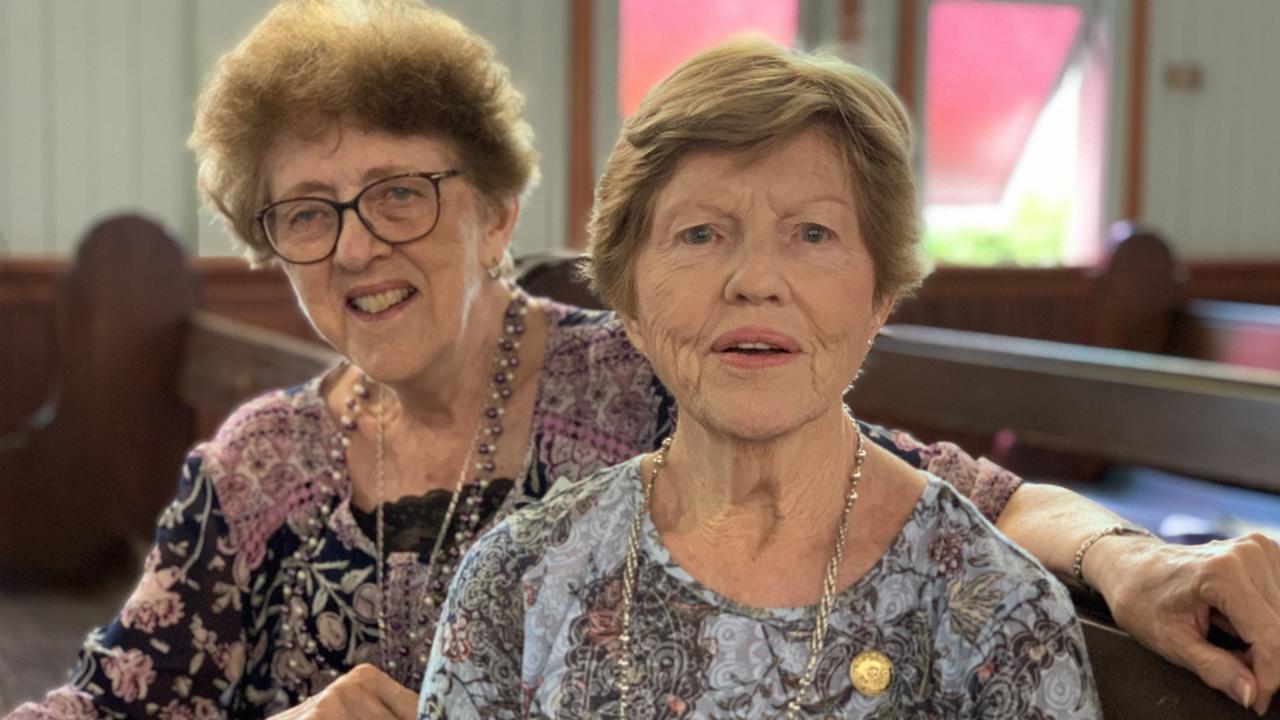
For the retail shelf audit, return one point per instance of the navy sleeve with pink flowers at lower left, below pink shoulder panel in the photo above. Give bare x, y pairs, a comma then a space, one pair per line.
177, 649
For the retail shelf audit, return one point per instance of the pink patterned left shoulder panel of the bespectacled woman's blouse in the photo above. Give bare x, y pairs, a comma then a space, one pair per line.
271, 458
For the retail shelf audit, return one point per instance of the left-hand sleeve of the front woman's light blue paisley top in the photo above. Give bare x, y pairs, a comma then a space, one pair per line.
477, 659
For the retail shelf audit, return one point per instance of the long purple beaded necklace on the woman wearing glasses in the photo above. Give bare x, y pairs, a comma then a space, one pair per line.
441, 563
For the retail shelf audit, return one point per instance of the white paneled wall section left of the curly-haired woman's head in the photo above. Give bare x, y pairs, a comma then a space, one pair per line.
94, 117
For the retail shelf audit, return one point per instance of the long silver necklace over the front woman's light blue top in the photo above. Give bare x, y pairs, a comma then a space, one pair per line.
629, 673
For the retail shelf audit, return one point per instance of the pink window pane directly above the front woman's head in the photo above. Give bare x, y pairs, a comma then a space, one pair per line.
656, 37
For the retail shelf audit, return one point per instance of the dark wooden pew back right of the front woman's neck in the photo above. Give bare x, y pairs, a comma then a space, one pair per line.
1190, 417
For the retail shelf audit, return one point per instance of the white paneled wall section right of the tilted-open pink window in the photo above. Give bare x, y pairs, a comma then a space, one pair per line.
1213, 156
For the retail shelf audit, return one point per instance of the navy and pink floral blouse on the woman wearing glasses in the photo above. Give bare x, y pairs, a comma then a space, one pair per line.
262, 587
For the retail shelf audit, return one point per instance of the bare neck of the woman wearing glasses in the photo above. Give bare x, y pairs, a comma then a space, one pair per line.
454, 389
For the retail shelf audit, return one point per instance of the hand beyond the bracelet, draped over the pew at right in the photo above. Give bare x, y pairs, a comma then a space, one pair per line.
1168, 596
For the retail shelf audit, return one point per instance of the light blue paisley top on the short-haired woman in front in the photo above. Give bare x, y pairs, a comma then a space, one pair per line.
973, 627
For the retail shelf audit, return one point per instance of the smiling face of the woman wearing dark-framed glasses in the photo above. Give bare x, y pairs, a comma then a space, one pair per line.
392, 309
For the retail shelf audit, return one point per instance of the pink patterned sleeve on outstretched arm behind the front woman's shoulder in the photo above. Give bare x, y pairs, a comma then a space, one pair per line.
986, 485
